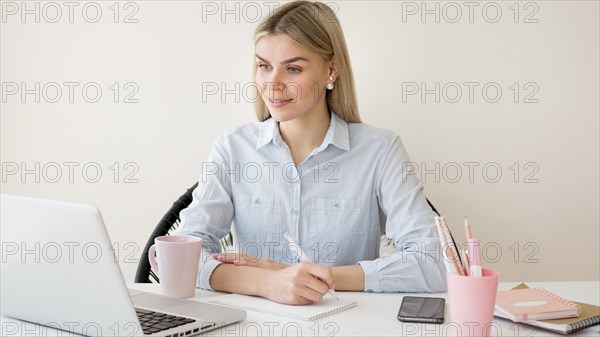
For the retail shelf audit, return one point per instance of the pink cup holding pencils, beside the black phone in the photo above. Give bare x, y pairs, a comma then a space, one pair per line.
472, 301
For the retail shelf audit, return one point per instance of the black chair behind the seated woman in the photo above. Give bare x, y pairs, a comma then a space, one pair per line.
168, 224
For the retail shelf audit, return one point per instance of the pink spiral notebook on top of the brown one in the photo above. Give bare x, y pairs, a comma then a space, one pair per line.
522, 305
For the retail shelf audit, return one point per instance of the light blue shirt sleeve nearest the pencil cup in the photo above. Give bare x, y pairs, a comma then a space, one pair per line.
417, 265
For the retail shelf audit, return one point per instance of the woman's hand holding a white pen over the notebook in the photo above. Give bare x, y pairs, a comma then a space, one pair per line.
299, 284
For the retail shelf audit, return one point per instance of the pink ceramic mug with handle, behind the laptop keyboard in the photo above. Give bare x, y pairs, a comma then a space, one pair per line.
175, 260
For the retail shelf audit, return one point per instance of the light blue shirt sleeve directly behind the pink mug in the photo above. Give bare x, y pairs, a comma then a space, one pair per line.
210, 214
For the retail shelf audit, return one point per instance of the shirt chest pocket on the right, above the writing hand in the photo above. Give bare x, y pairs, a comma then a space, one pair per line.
334, 225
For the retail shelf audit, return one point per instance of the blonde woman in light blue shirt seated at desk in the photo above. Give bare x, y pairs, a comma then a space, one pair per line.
310, 168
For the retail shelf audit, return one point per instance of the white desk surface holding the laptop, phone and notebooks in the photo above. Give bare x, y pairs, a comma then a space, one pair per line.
375, 315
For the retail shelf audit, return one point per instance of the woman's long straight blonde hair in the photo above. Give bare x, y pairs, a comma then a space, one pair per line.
314, 26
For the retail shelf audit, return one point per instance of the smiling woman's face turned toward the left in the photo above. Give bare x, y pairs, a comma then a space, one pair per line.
292, 79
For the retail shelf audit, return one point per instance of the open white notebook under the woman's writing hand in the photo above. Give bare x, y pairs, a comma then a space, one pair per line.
327, 306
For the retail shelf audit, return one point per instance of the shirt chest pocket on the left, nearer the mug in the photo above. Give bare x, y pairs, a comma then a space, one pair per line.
256, 218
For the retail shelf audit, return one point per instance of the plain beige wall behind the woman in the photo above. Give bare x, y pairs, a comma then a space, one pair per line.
538, 220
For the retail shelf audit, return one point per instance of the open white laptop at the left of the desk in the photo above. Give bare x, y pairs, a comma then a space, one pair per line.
59, 270
